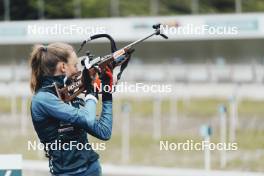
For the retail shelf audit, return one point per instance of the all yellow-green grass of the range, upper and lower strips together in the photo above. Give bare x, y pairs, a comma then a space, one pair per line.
144, 150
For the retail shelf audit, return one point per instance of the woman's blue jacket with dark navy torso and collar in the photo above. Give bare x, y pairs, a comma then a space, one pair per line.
55, 120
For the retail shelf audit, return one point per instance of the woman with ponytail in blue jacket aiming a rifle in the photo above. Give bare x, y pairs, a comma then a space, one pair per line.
67, 125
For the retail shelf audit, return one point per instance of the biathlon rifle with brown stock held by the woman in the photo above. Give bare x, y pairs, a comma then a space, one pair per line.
99, 64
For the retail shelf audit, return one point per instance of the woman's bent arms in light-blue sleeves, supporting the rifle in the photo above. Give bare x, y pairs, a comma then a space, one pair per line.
47, 104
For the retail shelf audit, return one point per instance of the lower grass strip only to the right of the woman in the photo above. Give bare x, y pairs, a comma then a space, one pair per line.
145, 151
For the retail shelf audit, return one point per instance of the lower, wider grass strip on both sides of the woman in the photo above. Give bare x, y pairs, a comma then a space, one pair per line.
144, 150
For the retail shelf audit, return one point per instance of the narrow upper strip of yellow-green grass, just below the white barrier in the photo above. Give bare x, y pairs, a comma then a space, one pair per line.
200, 108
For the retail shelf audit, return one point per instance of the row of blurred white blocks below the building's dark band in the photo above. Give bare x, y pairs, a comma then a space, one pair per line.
167, 73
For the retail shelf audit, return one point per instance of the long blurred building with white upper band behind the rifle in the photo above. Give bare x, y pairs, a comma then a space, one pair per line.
232, 56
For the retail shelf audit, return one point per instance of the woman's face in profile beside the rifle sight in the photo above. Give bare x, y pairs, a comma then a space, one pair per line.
70, 68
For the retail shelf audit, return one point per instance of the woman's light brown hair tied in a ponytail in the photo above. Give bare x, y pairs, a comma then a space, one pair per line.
44, 60
